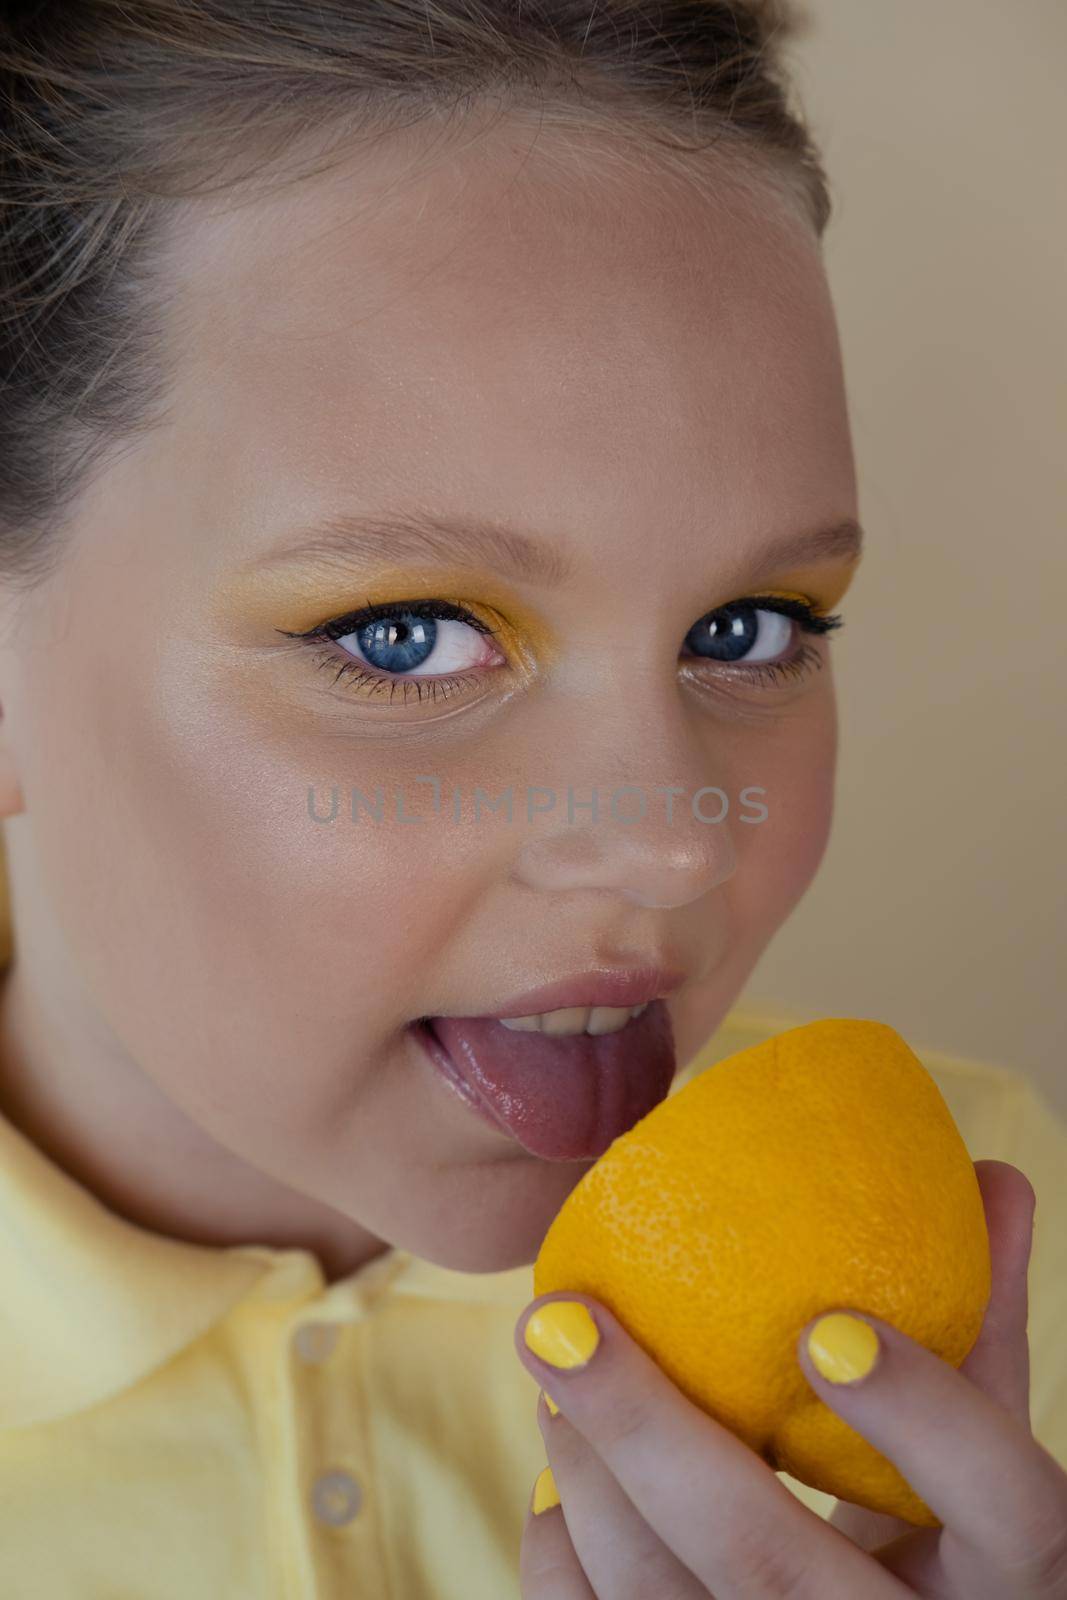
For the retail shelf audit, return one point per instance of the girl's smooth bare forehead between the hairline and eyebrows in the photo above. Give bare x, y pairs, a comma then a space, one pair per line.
489, 324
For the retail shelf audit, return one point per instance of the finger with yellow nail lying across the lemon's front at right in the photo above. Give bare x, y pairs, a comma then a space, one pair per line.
977, 1466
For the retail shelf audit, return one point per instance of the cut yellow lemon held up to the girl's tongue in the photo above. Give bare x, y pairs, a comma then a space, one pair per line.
817, 1170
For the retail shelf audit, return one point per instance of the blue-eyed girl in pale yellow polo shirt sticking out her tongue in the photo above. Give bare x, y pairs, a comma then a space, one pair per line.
426, 492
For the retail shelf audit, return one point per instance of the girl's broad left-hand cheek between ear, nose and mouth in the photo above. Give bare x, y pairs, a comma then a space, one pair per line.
249, 959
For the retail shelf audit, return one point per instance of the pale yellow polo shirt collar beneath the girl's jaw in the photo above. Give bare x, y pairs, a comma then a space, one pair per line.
95, 1302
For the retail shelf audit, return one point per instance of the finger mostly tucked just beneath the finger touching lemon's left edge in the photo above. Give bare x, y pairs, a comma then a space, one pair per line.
621, 1556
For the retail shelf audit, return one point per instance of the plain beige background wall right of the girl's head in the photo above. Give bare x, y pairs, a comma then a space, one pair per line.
940, 906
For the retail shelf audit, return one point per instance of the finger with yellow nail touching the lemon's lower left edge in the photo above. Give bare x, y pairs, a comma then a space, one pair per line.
709, 1498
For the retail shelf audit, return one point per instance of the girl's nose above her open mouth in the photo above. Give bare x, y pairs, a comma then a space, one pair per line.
650, 838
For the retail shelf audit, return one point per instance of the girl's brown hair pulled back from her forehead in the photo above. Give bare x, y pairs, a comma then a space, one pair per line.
114, 113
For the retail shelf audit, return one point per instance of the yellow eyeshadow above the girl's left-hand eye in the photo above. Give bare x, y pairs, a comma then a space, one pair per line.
300, 599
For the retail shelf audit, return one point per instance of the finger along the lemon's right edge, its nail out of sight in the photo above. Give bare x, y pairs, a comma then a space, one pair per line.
1001, 1361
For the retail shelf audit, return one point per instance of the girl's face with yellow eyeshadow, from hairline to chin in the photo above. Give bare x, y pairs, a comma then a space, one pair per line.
641, 391
